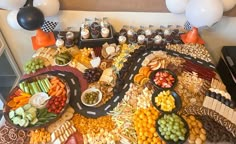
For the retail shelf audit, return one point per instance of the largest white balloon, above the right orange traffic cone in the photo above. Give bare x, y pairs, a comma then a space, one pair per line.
204, 12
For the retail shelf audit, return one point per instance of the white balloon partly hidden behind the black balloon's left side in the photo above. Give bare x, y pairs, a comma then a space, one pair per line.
12, 20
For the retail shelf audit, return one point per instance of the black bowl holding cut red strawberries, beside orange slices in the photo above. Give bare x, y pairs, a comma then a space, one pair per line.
152, 75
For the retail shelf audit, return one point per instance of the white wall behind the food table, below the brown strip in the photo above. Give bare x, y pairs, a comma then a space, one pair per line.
19, 41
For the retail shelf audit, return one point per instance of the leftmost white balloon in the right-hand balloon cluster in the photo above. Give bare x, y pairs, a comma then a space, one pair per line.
176, 6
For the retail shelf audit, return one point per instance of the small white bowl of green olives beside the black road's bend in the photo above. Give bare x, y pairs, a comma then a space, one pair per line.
89, 91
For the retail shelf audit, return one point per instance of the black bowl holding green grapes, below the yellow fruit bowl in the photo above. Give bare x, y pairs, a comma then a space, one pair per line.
171, 141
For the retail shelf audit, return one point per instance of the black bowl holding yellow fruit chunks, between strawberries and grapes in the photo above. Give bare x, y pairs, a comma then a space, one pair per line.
178, 102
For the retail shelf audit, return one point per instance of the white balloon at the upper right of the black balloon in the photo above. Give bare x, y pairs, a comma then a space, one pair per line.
48, 7
